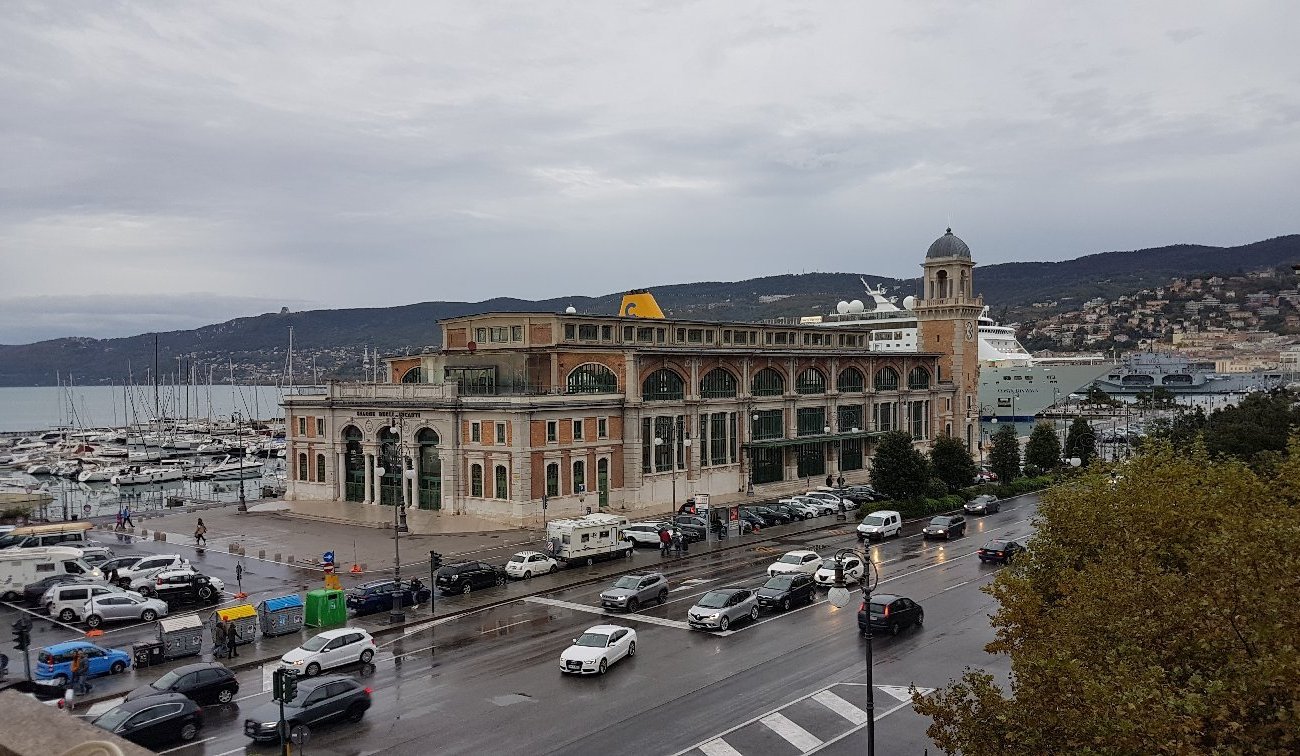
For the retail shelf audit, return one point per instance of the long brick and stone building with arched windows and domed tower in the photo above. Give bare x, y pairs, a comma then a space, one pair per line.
634, 415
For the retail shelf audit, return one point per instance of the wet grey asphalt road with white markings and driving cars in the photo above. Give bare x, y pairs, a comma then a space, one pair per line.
791, 684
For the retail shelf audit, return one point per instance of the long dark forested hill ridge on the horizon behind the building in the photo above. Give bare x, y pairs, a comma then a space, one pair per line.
254, 349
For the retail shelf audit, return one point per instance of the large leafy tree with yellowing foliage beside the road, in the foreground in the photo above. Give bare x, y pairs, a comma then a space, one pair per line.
1184, 645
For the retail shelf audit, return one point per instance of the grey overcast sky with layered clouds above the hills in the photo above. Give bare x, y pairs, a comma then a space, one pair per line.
167, 166
